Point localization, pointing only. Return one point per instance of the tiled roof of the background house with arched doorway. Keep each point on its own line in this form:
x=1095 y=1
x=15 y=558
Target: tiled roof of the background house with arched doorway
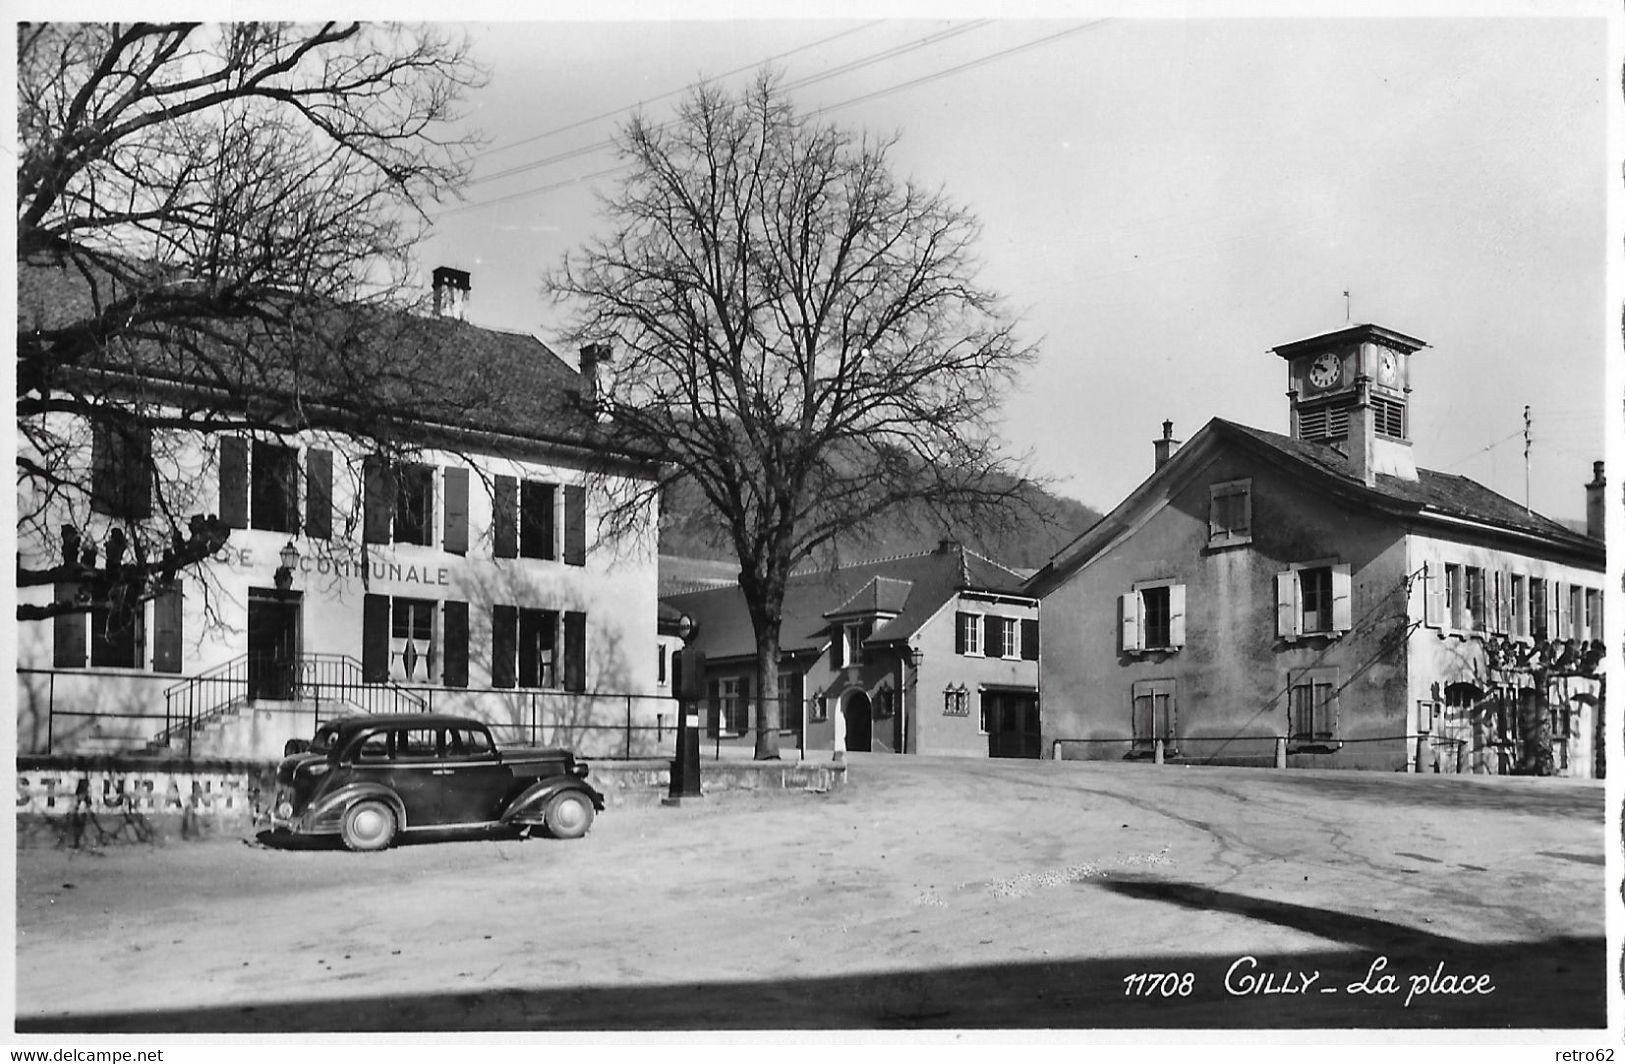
x=810 y=597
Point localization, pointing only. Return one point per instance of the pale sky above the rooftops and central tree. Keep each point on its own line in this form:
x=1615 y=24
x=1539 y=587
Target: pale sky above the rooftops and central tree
x=1163 y=201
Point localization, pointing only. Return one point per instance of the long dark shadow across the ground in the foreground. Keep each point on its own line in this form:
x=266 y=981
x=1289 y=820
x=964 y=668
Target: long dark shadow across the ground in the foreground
x=1390 y=977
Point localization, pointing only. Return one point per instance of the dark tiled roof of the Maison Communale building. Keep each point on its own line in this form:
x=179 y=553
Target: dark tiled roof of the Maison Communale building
x=414 y=368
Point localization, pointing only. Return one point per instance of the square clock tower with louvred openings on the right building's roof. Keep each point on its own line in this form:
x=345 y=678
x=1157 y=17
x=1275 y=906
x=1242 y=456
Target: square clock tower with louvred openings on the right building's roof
x=1351 y=391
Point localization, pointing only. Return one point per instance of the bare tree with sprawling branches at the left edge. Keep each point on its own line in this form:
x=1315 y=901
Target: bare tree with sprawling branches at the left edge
x=214 y=225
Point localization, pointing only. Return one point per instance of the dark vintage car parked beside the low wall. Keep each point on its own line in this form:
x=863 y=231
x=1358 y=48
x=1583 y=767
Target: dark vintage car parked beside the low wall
x=373 y=779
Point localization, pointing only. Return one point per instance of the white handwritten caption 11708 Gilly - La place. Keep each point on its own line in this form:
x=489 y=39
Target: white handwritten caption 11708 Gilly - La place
x=1249 y=977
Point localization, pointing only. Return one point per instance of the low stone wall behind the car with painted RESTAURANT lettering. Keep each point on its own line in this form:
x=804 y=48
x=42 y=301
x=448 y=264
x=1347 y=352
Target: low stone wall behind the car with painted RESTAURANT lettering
x=87 y=802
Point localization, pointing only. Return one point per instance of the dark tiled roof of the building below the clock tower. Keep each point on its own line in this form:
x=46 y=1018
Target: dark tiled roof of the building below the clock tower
x=1431 y=493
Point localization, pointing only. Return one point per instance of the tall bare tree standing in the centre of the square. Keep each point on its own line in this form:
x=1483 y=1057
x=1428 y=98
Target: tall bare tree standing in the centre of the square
x=797 y=331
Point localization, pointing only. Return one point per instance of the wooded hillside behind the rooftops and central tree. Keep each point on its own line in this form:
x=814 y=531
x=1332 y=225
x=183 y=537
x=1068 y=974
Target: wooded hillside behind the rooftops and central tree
x=1033 y=532
